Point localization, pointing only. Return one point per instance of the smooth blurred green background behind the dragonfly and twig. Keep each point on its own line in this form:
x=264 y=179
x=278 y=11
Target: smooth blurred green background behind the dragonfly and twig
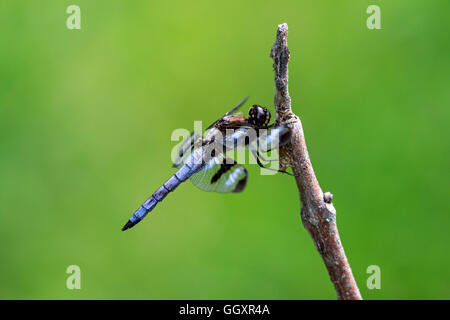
x=85 y=123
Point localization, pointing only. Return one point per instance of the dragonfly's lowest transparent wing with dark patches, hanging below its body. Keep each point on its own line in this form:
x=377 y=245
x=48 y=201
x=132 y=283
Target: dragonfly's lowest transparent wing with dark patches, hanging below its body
x=221 y=175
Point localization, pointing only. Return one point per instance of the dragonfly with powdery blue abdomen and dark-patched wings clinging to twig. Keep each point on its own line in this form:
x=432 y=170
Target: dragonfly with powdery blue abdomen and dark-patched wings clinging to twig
x=203 y=160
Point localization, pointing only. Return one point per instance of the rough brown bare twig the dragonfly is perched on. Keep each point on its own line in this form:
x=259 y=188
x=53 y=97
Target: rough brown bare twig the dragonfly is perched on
x=317 y=213
